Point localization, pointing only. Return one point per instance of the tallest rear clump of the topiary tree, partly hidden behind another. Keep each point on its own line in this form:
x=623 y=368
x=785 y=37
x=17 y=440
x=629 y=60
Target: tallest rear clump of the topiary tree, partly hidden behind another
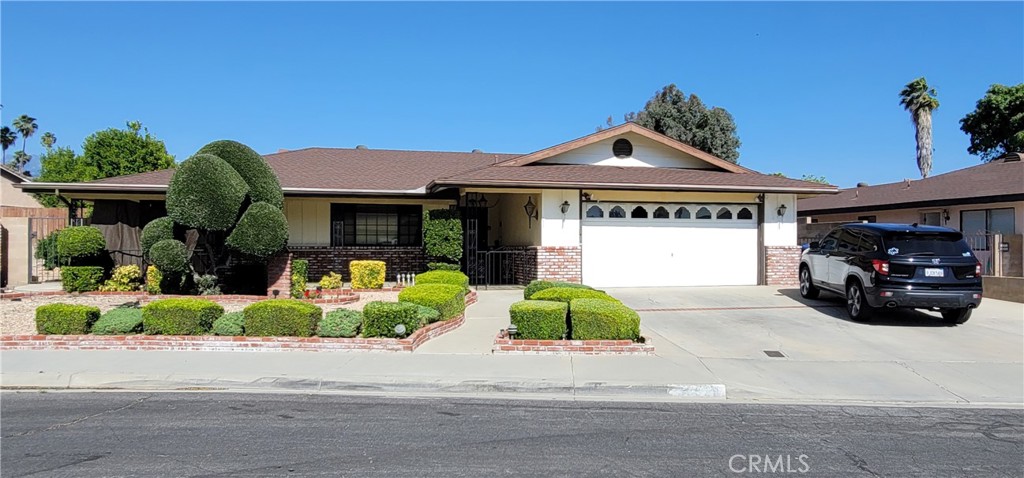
x=264 y=184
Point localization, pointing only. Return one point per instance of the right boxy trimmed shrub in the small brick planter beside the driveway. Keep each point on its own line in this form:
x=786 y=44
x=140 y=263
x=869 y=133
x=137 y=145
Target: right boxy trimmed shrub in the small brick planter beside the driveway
x=601 y=320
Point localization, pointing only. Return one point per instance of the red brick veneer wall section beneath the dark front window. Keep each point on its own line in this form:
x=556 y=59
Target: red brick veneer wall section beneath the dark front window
x=328 y=259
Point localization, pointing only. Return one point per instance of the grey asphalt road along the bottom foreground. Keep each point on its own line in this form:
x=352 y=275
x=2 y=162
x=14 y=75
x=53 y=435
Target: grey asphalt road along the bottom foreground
x=221 y=434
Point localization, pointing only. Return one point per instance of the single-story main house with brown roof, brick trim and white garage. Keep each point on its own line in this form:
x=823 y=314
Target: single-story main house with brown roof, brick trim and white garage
x=622 y=207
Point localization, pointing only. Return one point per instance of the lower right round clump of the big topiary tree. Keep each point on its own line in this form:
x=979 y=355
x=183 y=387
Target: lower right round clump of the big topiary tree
x=262 y=232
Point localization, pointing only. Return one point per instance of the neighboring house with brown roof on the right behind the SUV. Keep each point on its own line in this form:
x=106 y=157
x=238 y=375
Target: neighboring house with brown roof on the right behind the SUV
x=979 y=201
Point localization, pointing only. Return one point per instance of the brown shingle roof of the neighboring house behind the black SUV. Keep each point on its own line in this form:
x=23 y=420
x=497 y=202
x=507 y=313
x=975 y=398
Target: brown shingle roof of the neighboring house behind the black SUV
x=996 y=180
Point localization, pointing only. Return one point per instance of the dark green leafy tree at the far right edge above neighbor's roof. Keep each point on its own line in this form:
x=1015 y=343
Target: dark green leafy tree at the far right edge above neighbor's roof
x=997 y=125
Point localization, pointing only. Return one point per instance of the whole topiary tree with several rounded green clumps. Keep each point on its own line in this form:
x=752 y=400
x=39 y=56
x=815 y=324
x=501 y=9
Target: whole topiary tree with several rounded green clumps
x=226 y=200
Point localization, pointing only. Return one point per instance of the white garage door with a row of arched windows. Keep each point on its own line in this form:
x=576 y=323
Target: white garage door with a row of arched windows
x=652 y=245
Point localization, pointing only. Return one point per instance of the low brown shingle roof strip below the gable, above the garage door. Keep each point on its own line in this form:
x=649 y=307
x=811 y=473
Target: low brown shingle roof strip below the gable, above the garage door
x=609 y=178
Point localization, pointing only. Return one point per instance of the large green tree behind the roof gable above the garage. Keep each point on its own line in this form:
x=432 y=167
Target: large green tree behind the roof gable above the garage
x=671 y=113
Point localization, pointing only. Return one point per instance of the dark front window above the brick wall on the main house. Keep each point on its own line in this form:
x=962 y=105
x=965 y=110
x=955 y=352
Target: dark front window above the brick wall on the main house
x=359 y=225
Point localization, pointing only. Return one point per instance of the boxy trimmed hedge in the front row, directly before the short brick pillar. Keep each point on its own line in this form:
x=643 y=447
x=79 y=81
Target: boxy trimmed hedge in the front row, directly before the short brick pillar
x=282 y=318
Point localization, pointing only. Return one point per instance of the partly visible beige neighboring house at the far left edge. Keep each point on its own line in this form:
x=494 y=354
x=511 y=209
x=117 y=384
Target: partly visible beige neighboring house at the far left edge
x=21 y=215
